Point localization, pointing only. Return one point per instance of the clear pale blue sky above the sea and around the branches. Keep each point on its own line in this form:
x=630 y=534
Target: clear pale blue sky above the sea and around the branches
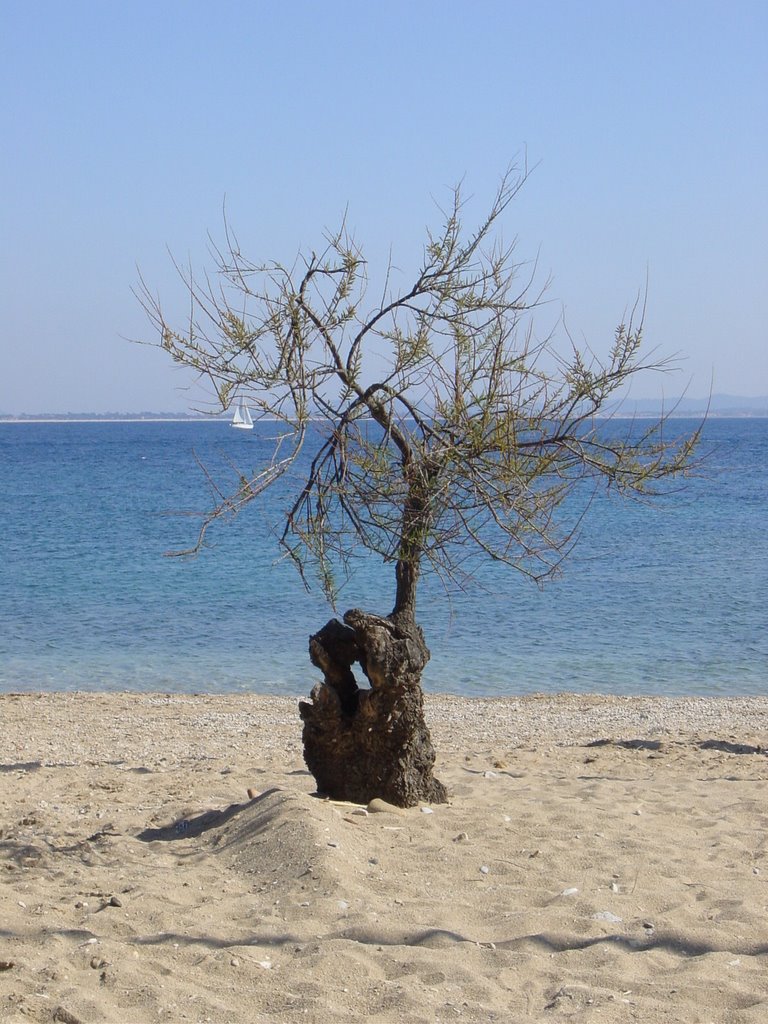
x=125 y=125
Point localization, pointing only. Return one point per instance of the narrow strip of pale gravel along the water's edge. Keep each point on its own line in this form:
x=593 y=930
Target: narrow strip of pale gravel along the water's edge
x=72 y=729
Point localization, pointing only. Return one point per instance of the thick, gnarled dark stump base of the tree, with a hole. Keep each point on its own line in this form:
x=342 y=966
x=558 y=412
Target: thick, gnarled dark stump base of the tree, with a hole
x=360 y=743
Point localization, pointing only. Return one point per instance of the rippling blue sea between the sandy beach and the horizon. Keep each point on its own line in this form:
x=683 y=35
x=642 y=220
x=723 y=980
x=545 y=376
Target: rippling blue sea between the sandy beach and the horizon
x=666 y=600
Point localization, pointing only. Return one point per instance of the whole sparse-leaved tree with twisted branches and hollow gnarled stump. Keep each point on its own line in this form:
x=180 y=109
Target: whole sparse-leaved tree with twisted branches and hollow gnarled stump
x=438 y=428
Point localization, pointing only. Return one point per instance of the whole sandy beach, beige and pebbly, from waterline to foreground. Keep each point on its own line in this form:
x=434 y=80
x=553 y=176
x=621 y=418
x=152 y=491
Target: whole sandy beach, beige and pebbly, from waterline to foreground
x=602 y=860
